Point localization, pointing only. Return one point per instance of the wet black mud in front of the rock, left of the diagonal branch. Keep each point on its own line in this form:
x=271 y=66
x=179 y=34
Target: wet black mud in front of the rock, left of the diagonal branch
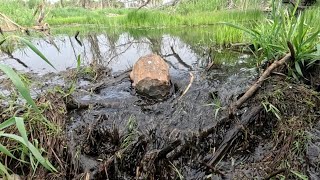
x=115 y=118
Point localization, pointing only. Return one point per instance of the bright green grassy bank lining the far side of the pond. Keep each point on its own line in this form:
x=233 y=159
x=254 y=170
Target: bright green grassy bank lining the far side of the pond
x=181 y=16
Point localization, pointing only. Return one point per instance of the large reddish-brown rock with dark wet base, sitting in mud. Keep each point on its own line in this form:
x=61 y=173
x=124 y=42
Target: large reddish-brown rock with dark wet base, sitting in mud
x=150 y=76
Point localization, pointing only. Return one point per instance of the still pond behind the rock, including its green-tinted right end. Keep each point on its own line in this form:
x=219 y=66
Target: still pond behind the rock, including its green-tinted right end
x=121 y=50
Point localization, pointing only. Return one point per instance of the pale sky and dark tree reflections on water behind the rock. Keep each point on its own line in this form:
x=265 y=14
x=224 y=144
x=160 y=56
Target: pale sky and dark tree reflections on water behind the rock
x=119 y=53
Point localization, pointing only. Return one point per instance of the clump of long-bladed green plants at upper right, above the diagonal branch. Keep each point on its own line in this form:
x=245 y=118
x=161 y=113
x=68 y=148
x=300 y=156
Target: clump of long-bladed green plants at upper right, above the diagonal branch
x=271 y=37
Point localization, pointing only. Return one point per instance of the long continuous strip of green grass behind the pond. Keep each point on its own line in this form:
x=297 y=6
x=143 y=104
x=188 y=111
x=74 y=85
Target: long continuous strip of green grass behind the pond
x=147 y=18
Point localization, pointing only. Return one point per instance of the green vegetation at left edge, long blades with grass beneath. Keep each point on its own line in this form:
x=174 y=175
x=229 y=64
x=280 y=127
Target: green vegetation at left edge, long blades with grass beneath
x=13 y=144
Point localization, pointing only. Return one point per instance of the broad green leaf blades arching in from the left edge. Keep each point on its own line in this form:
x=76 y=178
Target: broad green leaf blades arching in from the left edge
x=34 y=152
